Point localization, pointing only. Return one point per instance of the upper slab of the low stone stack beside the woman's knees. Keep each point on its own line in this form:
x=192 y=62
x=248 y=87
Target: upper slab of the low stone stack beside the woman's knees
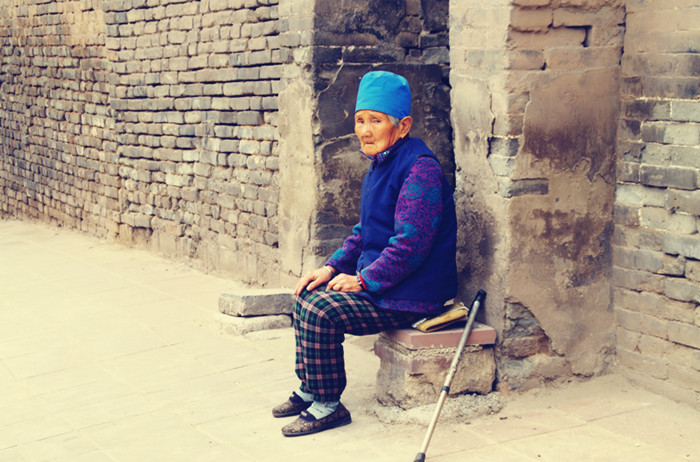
x=257 y=302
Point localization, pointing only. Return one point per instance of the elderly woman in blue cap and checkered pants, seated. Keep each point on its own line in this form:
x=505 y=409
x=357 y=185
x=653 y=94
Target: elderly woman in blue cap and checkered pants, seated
x=397 y=266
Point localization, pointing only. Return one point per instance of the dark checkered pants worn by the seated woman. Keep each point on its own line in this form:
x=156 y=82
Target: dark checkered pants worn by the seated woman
x=321 y=320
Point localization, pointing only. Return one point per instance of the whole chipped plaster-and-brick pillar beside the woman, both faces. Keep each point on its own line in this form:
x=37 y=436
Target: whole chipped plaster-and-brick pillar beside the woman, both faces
x=534 y=111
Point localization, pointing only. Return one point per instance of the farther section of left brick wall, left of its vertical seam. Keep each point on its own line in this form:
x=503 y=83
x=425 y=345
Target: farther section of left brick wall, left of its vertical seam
x=56 y=129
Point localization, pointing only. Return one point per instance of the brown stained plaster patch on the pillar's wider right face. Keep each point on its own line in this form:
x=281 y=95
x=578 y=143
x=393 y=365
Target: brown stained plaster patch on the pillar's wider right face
x=561 y=253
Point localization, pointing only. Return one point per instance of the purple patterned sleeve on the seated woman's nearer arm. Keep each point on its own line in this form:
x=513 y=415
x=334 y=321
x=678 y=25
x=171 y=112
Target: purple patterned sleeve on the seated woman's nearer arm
x=416 y=222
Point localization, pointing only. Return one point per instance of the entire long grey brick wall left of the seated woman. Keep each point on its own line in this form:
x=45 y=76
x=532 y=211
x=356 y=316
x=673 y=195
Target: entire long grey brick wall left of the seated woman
x=154 y=121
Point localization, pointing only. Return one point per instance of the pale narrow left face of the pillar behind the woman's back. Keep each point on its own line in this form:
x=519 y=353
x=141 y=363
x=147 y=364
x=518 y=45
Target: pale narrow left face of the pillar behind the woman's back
x=478 y=55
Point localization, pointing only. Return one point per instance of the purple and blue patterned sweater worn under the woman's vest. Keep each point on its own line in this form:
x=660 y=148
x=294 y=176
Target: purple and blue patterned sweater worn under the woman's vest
x=418 y=207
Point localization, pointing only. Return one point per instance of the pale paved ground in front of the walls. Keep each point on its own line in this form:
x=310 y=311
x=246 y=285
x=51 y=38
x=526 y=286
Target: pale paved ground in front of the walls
x=113 y=354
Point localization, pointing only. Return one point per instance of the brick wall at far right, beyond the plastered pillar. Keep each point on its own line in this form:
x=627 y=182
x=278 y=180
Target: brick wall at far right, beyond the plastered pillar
x=657 y=202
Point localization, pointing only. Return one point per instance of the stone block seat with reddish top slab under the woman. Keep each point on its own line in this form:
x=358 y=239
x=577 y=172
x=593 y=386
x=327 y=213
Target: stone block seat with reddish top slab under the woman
x=414 y=364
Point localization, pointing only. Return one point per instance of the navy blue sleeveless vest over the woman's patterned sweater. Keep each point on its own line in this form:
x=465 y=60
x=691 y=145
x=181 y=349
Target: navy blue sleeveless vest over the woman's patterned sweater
x=436 y=279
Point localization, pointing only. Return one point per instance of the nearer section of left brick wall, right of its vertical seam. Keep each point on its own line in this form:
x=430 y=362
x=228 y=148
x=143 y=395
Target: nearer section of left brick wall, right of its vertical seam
x=195 y=103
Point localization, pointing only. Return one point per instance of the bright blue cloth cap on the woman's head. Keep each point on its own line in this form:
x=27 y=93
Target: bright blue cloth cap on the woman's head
x=384 y=92
